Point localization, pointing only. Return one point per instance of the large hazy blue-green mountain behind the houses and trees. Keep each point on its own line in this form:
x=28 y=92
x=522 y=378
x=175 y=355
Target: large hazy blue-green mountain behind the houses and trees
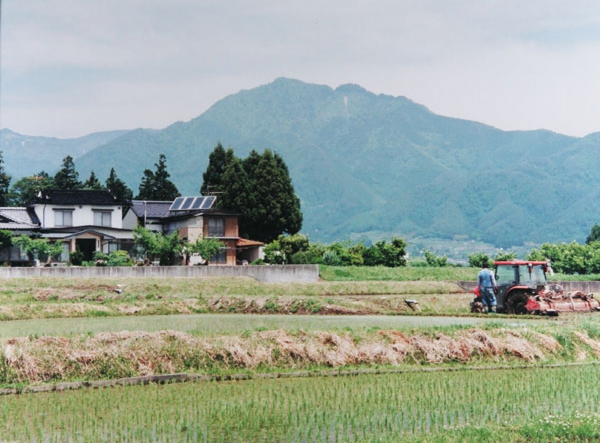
x=373 y=166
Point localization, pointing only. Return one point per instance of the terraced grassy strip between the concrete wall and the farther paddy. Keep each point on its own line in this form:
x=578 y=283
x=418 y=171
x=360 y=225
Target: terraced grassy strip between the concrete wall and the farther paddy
x=22 y=299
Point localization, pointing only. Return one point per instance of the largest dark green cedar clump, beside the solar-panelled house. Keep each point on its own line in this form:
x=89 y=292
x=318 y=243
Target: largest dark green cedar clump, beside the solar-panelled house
x=258 y=188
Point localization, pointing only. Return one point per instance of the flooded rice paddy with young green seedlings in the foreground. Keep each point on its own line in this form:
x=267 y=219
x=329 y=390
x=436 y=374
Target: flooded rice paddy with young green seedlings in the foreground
x=424 y=406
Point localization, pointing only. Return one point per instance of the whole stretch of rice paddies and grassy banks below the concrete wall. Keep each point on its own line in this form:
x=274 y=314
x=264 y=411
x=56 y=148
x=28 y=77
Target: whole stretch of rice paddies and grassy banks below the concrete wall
x=336 y=361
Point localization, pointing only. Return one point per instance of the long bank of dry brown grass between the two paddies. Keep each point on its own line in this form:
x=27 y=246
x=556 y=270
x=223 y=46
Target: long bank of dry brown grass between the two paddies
x=128 y=354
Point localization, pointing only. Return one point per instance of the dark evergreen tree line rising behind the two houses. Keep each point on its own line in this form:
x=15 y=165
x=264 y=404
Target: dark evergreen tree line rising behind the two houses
x=258 y=189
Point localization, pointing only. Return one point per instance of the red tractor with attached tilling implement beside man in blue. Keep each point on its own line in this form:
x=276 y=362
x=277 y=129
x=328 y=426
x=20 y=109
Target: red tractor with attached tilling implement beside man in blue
x=522 y=288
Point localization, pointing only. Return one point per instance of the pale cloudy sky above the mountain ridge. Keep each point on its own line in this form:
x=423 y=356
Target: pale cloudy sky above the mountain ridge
x=72 y=67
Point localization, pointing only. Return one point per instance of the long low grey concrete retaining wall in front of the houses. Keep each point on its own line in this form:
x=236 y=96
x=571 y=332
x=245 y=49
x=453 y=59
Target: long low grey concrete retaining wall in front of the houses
x=267 y=274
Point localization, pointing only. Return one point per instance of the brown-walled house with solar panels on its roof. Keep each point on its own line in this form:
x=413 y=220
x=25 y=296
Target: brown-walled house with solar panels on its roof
x=196 y=218
